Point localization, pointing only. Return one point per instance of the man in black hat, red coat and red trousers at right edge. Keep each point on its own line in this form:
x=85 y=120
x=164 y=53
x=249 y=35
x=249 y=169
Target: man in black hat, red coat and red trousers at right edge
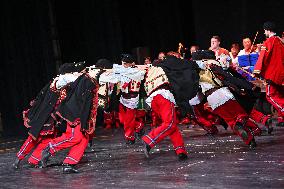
x=270 y=66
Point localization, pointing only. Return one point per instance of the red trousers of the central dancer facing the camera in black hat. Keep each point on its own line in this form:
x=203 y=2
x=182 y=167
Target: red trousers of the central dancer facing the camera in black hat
x=127 y=117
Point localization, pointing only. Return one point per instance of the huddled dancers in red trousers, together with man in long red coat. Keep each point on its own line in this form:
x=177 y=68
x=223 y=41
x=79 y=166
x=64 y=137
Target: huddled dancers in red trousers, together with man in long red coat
x=205 y=88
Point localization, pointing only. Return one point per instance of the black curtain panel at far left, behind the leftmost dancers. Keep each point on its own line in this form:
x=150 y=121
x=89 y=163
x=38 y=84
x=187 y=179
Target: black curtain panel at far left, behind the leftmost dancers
x=27 y=61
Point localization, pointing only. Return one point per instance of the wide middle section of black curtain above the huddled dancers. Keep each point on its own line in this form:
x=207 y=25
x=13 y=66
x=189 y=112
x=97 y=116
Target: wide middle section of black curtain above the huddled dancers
x=89 y=29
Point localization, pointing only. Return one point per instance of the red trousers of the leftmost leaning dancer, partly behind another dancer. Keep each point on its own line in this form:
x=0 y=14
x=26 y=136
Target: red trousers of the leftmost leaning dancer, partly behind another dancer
x=30 y=144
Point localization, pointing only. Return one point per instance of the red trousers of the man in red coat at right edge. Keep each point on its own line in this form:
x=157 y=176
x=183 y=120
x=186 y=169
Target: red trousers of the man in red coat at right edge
x=275 y=96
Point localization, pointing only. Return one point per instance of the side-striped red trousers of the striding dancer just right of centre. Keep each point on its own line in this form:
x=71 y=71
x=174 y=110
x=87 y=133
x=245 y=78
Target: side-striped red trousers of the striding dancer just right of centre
x=166 y=111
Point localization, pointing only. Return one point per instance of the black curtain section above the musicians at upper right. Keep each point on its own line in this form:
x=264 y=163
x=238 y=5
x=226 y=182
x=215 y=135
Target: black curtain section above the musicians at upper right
x=234 y=20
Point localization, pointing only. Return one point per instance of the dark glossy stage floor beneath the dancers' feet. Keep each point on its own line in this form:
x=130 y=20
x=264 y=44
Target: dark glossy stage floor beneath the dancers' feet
x=220 y=162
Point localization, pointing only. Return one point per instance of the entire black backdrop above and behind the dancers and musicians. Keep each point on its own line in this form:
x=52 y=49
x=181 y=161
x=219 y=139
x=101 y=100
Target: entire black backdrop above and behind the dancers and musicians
x=39 y=35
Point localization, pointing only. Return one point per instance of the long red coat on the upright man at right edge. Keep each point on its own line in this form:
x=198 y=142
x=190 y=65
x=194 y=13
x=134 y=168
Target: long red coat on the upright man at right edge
x=270 y=63
